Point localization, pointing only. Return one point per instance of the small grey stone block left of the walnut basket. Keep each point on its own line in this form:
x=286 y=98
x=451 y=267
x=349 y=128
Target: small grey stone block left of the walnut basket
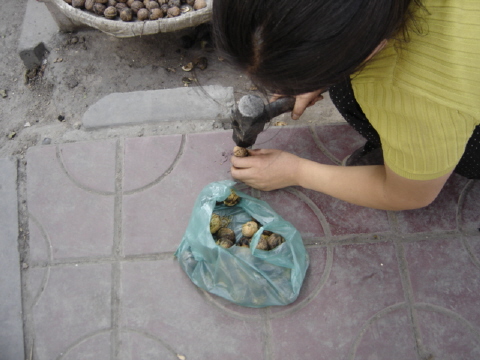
x=38 y=27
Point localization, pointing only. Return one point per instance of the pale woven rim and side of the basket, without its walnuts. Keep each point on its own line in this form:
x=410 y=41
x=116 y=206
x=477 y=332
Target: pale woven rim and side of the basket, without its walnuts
x=120 y=28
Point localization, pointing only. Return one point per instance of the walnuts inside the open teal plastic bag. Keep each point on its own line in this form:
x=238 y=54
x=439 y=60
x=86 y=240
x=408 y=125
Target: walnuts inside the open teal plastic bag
x=225 y=237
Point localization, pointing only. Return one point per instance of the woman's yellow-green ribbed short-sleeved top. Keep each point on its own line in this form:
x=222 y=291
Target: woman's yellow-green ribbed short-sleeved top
x=423 y=97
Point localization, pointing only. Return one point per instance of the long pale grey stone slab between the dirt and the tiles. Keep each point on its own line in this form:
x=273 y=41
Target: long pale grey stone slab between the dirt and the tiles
x=157 y=106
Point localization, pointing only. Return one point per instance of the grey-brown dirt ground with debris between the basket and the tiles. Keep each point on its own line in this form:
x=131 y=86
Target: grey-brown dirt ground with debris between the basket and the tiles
x=81 y=68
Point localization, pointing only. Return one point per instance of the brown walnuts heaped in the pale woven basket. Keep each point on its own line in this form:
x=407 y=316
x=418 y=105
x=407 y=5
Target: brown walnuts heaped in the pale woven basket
x=129 y=10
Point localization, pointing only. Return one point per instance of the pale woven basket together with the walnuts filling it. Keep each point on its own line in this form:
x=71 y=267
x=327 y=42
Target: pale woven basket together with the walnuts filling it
x=128 y=18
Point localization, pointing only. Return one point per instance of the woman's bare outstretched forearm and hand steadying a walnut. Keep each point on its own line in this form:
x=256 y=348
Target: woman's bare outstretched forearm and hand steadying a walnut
x=371 y=186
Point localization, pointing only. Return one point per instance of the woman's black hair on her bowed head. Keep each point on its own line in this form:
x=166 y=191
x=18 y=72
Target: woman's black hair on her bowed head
x=292 y=47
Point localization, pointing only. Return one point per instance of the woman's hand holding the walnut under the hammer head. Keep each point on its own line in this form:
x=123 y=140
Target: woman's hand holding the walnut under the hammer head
x=266 y=169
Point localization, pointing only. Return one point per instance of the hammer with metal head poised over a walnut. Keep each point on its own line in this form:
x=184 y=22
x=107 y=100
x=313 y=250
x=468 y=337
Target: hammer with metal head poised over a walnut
x=252 y=114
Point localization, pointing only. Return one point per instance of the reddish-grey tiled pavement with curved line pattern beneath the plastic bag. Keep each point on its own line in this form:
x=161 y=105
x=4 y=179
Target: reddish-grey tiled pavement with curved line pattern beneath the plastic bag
x=102 y=282
